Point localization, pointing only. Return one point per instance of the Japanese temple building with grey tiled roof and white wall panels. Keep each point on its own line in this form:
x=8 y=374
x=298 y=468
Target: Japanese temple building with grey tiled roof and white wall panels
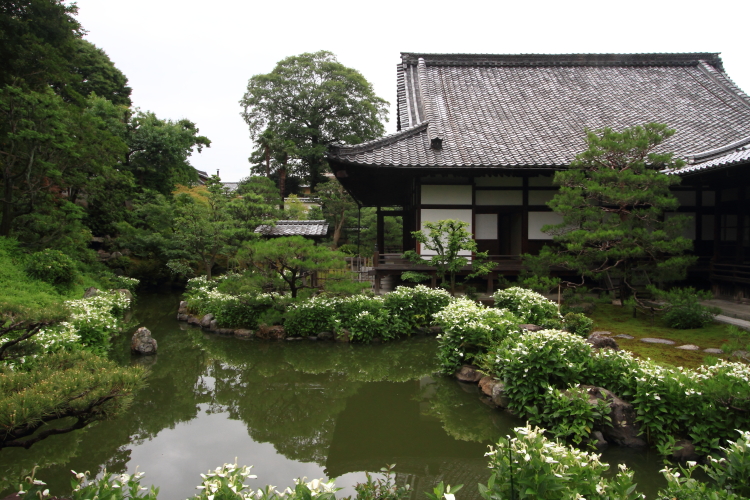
x=480 y=137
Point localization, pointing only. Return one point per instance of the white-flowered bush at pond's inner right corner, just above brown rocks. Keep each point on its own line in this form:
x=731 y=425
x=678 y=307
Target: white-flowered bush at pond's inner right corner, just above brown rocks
x=469 y=329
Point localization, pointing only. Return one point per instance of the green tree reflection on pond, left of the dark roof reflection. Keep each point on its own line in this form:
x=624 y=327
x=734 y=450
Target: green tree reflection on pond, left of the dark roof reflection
x=290 y=394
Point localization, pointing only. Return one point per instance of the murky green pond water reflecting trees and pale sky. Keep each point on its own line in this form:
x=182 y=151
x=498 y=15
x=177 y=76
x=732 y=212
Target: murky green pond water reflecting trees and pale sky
x=290 y=409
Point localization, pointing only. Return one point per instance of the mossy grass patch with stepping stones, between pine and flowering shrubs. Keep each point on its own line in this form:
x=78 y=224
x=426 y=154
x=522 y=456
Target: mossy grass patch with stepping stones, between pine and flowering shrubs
x=619 y=320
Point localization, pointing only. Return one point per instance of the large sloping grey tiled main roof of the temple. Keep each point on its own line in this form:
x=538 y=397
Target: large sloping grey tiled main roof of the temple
x=459 y=110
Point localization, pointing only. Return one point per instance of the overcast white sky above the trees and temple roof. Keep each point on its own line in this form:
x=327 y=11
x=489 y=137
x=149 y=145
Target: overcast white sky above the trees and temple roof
x=192 y=59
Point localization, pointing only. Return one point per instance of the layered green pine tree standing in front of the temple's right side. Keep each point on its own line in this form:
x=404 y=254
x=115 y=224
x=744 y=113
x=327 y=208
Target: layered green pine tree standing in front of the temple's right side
x=613 y=199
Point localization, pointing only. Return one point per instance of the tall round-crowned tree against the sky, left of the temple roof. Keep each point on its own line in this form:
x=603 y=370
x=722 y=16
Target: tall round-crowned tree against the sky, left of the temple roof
x=313 y=100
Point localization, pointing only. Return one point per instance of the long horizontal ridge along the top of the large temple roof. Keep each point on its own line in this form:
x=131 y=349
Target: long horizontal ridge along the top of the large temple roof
x=580 y=59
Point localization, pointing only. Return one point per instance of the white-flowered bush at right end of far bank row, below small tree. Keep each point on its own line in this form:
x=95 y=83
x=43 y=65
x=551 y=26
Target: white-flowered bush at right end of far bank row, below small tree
x=415 y=307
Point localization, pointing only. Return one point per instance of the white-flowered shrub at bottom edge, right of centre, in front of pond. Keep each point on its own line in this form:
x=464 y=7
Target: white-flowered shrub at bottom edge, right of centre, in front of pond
x=531 y=466
